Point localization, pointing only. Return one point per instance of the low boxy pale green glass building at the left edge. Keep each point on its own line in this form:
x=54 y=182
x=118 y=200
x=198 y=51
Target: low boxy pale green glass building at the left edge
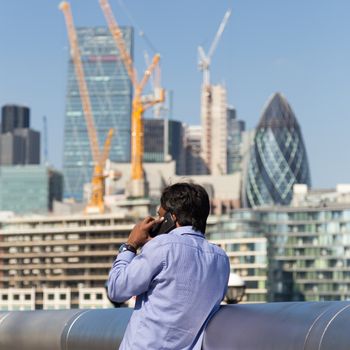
x=29 y=188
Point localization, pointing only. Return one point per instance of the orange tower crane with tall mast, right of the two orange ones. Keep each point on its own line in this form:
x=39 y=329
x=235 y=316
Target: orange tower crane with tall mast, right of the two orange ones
x=140 y=104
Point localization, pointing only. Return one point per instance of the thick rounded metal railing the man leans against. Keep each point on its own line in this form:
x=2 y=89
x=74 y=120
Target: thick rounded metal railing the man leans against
x=274 y=326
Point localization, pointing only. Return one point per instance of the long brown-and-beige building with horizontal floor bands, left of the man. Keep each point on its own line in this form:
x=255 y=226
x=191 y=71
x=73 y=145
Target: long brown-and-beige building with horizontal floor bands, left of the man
x=50 y=262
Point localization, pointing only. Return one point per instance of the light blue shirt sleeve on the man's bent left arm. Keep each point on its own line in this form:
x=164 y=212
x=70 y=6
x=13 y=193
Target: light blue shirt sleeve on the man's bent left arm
x=132 y=274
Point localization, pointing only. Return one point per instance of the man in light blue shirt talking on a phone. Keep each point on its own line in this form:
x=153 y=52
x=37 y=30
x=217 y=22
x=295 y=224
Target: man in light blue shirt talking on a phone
x=179 y=278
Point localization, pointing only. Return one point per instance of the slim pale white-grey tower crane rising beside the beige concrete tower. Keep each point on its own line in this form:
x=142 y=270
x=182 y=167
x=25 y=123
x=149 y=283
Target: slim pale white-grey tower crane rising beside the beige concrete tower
x=206 y=100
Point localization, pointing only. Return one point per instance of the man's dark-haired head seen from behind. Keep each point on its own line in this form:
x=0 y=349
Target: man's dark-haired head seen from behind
x=189 y=203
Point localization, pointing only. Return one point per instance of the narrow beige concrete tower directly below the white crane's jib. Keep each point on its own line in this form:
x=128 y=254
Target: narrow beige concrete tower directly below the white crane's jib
x=214 y=128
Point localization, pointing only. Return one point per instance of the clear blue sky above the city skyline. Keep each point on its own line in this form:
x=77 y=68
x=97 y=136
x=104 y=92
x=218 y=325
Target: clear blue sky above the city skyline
x=300 y=48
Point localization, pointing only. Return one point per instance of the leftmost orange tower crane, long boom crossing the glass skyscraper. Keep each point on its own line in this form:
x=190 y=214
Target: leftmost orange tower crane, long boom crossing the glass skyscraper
x=96 y=201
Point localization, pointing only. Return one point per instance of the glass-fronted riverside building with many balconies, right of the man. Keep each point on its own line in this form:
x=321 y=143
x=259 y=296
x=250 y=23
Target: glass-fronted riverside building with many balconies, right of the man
x=304 y=247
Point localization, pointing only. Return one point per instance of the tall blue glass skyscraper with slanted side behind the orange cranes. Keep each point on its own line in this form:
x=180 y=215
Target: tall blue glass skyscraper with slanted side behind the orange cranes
x=110 y=93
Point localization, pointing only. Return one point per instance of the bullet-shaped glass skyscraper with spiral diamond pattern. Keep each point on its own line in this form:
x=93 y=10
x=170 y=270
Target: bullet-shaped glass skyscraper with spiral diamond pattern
x=278 y=157
